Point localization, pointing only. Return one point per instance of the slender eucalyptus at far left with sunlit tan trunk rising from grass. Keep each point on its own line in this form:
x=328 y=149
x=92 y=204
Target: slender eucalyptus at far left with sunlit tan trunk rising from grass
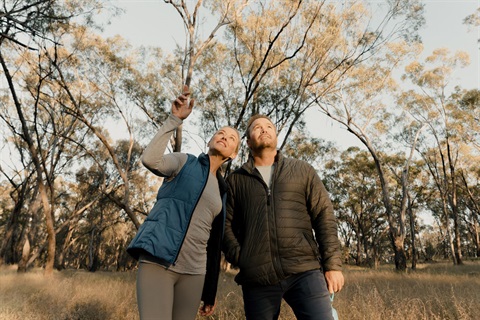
x=44 y=130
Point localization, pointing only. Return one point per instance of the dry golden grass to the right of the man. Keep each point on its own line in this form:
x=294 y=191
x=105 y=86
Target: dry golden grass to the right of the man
x=438 y=291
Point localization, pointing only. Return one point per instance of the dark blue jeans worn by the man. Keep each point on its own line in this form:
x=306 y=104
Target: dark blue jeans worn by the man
x=306 y=293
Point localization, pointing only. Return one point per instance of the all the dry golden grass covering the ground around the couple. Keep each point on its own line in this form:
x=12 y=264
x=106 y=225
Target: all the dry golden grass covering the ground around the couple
x=436 y=291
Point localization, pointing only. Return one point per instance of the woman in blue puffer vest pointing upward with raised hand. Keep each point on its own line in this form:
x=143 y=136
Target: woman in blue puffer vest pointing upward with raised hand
x=178 y=245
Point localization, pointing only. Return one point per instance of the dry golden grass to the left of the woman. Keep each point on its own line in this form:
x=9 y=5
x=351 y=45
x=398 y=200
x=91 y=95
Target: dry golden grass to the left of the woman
x=69 y=295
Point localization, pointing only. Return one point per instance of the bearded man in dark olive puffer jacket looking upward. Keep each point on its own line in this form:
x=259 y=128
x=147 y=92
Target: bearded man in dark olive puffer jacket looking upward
x=281 y=231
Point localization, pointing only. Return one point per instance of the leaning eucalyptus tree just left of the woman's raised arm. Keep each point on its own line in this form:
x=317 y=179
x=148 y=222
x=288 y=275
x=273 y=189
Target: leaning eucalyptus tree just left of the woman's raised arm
x=96 y=75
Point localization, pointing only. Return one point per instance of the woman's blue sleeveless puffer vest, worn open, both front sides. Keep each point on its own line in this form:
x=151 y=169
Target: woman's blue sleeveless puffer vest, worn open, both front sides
x=164 y=230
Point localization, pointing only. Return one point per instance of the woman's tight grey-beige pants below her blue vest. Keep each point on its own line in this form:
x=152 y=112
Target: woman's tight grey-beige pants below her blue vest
x=166 y=295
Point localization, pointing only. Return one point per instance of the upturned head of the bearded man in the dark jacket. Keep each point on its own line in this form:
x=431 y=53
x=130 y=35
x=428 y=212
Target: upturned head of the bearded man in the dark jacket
x=262 y=135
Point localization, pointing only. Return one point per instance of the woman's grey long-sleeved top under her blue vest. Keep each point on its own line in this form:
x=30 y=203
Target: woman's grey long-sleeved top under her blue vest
x=192 y=258
